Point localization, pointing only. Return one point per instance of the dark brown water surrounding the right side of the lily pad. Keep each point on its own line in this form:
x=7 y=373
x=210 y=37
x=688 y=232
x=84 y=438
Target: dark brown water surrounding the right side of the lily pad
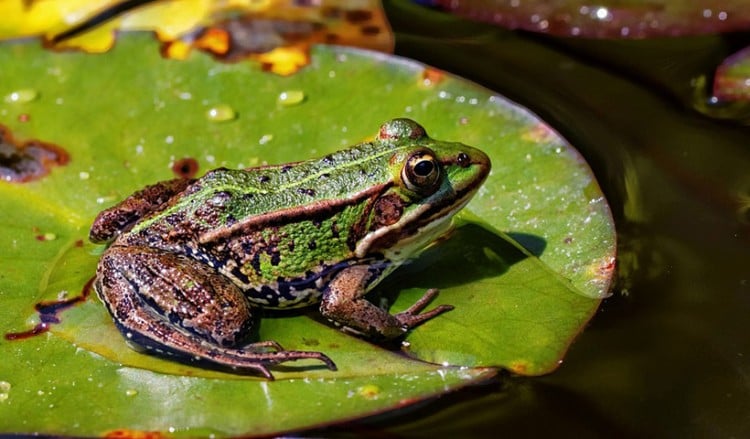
x=668 y=355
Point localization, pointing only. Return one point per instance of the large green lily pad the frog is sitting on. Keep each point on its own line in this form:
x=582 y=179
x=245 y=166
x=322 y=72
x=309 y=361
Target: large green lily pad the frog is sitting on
x=525 y=270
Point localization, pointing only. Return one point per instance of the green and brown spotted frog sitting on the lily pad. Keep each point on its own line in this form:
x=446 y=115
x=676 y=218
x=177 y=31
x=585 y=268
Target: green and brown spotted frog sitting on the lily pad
x=189 y=263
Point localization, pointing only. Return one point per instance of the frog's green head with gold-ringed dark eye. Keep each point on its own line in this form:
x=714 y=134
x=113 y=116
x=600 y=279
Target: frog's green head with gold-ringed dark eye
x=431 y=181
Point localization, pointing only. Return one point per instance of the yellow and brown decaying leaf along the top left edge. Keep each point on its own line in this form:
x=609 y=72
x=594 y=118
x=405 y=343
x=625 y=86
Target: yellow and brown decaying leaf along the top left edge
x=276 y=33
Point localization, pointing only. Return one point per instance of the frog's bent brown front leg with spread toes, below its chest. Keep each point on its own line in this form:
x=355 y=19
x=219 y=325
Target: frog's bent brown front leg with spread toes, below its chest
x=344 y=303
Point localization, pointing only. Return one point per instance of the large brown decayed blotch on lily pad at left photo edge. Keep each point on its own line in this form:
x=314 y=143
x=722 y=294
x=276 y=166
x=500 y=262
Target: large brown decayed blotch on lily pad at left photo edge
x=27 y=161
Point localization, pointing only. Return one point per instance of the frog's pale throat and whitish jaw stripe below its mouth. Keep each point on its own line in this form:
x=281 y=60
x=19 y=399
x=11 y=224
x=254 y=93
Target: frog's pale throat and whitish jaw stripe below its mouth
x=435 y=225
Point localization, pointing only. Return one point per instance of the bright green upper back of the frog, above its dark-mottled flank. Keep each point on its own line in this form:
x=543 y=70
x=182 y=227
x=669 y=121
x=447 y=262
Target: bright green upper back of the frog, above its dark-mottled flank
x=250 y=196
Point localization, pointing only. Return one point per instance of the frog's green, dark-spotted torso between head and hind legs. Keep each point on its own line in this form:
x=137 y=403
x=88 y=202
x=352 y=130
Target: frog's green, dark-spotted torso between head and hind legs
x=275 y=229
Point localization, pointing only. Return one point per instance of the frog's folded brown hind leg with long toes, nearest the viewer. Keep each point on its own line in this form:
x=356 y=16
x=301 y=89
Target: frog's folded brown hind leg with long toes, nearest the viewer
x=174 y=305
